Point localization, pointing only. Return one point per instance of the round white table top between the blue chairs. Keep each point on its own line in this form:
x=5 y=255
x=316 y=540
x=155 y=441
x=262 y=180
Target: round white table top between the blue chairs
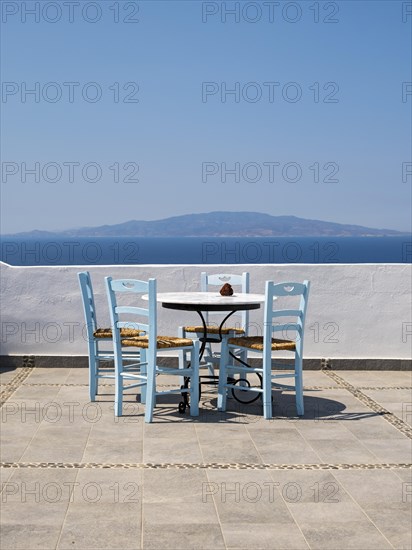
x=209 y=298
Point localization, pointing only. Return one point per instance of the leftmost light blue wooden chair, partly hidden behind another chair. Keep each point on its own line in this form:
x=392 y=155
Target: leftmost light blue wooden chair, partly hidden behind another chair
x=96 y=337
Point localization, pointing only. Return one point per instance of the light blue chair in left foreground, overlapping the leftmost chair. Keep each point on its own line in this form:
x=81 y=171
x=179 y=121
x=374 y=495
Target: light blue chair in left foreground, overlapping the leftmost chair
x=149 y=344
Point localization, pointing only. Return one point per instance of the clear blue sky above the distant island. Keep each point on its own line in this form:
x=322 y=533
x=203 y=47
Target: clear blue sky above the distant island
x=318 y=124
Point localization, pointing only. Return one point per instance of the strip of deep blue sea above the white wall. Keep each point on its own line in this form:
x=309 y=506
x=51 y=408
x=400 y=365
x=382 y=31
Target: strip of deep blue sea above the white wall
x=205 y=250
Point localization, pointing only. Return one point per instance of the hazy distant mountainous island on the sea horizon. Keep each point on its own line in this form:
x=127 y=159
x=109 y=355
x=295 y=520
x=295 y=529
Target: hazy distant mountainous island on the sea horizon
x=221 y=224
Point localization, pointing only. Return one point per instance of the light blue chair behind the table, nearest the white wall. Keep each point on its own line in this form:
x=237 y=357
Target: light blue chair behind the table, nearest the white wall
x=208 y=283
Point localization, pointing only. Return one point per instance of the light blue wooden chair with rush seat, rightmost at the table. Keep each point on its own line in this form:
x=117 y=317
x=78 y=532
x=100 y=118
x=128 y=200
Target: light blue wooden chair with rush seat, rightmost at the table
x=293 y=322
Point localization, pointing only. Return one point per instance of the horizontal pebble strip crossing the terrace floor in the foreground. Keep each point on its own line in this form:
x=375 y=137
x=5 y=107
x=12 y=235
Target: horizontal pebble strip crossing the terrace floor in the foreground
x=201 y=466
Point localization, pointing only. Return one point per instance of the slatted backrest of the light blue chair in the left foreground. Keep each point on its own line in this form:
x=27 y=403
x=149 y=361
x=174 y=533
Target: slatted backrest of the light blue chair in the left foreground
x=147 y=315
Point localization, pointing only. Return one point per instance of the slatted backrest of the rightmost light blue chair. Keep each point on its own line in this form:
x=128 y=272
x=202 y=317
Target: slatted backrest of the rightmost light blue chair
x=286 y=321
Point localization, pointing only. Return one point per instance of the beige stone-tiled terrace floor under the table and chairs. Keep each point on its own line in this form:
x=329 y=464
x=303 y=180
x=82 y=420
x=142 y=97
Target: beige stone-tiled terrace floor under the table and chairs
x=73 y=476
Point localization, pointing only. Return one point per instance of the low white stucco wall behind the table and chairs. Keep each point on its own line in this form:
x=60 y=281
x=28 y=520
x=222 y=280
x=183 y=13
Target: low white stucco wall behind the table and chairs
x=355 y=311
